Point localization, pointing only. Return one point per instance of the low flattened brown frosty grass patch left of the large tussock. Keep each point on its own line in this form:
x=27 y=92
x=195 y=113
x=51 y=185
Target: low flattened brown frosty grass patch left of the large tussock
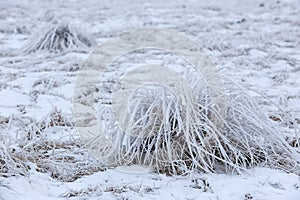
x=47 y=146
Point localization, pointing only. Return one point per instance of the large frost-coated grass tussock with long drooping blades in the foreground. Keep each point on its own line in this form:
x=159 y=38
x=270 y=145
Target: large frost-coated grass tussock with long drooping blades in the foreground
x=181 y=130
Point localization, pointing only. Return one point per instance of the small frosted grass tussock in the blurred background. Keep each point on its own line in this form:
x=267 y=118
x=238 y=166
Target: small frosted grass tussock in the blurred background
x=57 y=37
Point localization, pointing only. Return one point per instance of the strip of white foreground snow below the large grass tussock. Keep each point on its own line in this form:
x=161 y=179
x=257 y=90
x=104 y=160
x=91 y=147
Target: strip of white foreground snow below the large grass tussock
x=260 y=183
